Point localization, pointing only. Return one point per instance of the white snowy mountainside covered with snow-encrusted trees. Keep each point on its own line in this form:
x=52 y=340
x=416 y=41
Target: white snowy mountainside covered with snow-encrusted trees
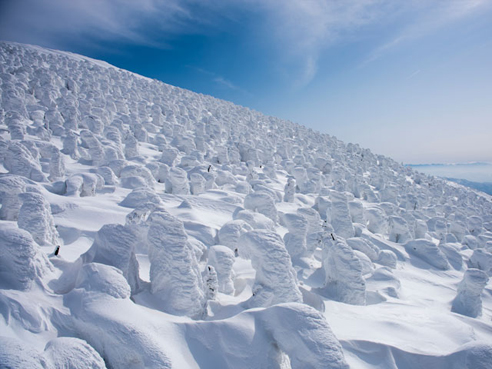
x=146 y=226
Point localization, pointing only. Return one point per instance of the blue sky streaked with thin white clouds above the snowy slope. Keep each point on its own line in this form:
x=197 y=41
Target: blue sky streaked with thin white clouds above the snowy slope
x=411 y=79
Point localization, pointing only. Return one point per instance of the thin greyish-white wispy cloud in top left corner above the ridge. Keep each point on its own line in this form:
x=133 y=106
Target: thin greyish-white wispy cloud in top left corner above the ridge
x=58 y=22
